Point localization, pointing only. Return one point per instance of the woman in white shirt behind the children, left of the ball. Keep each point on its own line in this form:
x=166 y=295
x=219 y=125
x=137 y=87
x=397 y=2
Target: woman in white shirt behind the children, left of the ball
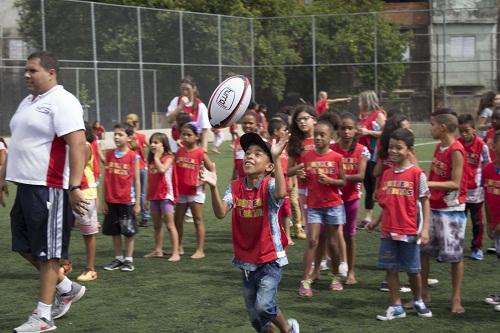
x=189 y=102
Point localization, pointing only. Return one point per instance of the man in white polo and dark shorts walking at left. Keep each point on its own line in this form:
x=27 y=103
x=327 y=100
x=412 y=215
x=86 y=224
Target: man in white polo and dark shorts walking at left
x=46 y=160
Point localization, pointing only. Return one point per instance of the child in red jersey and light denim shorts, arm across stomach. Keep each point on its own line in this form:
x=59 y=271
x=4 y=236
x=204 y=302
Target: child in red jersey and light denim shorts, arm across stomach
x=324 y=174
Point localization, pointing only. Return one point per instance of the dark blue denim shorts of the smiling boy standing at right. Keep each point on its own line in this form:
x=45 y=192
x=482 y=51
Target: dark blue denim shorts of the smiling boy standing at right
x=399 y=256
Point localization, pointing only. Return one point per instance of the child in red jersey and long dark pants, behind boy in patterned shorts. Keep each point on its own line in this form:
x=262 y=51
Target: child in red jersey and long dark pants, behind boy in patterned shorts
x=477 y=157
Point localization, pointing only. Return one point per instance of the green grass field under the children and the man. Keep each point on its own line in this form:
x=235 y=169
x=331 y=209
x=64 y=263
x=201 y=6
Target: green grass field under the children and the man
x=205 y=295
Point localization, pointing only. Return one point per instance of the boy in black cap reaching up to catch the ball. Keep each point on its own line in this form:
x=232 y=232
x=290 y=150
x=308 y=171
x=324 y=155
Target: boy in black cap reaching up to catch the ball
x=259 y=241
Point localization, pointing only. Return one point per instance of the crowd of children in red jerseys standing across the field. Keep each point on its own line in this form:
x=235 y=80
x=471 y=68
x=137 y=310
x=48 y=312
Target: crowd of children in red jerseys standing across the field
x=300 y=175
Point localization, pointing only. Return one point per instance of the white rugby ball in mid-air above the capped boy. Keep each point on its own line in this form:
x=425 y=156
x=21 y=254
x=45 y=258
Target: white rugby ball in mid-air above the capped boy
x=229 y=101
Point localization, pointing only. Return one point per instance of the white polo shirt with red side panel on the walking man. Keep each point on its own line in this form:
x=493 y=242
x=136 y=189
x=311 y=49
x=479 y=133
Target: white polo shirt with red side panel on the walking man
x=38 y=155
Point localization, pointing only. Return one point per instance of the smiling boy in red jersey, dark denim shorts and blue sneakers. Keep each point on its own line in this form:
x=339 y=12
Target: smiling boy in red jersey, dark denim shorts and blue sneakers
x=404 y=198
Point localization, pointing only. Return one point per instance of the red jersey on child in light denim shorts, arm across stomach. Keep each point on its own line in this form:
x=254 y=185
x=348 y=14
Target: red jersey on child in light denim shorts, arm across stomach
x=322 y=195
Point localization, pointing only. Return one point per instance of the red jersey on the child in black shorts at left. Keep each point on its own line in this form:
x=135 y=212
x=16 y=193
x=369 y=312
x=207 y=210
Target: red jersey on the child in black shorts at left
x=119 y=177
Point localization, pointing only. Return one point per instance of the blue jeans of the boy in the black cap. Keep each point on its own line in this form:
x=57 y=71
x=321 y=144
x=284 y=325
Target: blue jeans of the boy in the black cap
x=259 y=290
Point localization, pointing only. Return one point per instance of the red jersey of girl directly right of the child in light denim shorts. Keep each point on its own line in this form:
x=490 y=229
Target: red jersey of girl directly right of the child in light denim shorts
x=350 y=160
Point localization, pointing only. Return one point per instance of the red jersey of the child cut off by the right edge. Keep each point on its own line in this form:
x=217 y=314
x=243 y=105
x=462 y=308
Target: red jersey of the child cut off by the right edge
x=491 y=183
